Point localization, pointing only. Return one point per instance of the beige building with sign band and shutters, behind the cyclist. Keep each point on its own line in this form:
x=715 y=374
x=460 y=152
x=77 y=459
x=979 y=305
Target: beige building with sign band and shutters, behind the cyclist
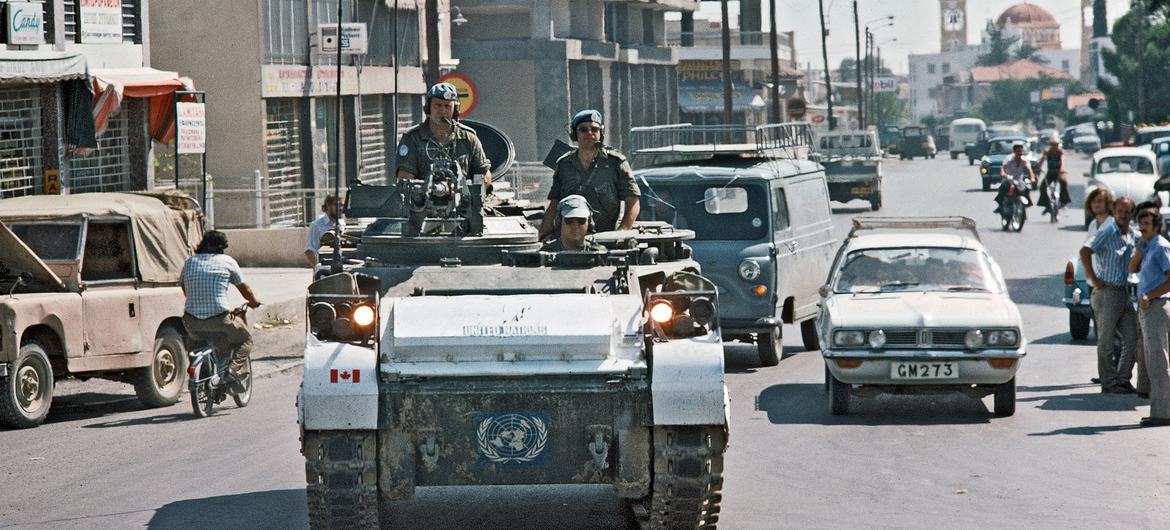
x=272 y=97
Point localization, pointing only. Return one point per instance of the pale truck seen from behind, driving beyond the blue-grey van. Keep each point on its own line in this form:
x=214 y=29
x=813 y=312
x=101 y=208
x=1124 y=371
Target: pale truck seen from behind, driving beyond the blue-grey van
x=852 y=162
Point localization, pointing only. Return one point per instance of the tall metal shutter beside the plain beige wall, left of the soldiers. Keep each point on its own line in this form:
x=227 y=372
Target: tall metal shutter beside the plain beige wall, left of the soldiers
x=283 y=146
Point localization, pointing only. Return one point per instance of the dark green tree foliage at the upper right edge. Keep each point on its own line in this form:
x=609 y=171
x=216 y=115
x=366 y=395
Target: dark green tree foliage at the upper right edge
x=1130 y=64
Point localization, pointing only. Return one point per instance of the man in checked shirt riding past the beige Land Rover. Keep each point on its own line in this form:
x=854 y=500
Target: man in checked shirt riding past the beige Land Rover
x=208 y=315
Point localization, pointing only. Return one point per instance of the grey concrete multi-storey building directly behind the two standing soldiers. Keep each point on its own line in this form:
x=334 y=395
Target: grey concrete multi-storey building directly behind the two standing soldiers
x=536 y=63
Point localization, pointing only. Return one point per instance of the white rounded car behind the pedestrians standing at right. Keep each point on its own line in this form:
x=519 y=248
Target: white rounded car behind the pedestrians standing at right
x=1126 y=173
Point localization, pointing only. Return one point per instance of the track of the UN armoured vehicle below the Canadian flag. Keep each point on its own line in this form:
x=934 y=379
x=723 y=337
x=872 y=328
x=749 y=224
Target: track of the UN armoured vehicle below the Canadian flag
x=341 y=471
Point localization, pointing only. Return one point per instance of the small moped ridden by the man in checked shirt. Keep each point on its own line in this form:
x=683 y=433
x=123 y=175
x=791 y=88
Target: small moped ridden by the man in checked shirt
x=209 y=383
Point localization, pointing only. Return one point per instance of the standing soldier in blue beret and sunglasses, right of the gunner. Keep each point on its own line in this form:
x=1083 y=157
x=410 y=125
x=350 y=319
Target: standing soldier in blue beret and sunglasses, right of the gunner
x=598 y=174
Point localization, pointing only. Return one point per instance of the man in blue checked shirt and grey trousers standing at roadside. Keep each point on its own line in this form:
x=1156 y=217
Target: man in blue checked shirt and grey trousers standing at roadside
x=1106 y=259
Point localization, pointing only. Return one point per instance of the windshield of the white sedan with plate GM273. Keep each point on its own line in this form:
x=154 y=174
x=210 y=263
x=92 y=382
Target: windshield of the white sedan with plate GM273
x=920 y=270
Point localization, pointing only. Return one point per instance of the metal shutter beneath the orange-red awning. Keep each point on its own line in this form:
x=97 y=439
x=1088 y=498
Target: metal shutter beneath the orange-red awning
x=106 y=169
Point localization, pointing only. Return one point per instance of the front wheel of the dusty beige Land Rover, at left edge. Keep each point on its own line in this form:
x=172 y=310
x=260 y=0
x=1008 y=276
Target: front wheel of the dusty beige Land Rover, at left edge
x=27 y=390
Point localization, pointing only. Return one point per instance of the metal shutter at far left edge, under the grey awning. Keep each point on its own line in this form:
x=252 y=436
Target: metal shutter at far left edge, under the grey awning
x=20 y=142
